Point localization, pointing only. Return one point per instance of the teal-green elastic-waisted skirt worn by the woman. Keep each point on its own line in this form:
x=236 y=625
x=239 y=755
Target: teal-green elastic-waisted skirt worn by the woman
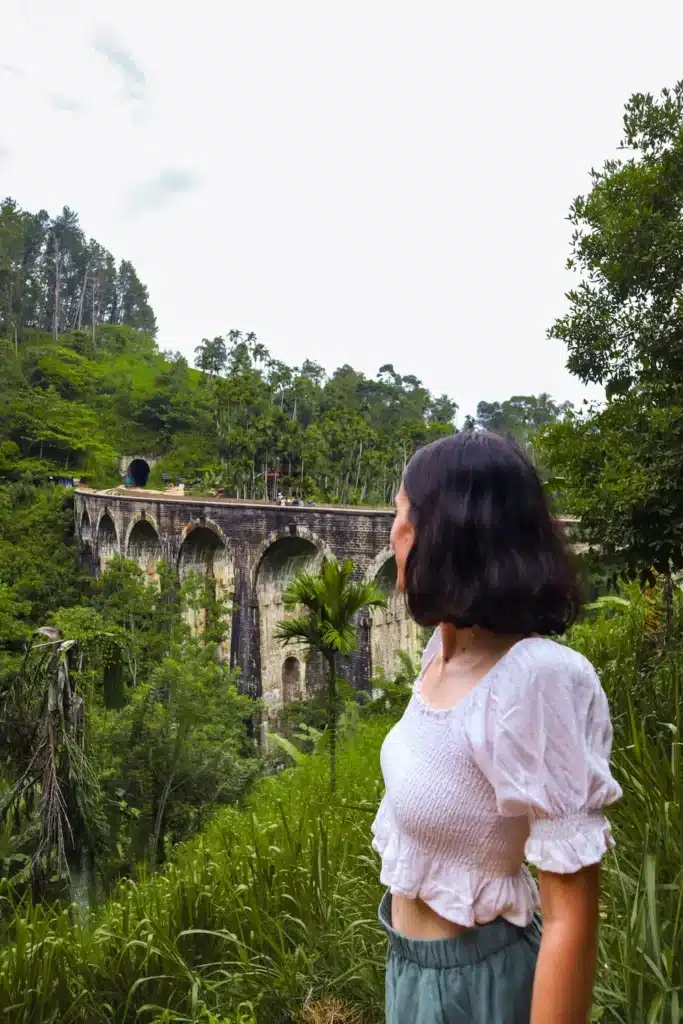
x=484 y=976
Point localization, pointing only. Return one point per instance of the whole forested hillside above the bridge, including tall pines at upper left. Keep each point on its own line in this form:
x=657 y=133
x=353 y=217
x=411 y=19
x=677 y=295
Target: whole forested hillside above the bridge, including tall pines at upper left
x=74 y=400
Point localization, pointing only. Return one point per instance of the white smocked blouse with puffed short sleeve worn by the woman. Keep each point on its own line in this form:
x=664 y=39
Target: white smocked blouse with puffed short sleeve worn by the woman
x=520 y=769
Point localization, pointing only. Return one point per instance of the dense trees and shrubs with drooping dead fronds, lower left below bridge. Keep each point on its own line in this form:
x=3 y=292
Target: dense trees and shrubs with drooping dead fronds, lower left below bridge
x=120 y=731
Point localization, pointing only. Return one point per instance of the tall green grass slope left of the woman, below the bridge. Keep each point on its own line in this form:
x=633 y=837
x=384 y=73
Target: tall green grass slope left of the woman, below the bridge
x=273 y=908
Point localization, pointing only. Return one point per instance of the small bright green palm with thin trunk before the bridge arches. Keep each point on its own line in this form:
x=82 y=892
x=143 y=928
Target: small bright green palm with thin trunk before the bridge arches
x=328 y=604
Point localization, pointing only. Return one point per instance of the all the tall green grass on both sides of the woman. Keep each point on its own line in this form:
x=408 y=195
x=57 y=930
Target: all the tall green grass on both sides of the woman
x=270 y=917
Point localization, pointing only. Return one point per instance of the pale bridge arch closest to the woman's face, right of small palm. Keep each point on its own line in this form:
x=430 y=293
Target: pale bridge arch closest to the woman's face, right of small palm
x=392 y=628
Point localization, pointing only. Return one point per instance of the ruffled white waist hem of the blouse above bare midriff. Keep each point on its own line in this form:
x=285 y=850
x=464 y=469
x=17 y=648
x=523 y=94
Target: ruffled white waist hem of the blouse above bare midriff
x=469 y=898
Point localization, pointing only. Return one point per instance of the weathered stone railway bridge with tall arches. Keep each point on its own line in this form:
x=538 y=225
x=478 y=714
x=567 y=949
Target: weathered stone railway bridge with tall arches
x=252 y=550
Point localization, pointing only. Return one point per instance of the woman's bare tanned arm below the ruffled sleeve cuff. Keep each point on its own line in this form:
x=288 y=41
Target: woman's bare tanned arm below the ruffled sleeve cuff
x=566 y=969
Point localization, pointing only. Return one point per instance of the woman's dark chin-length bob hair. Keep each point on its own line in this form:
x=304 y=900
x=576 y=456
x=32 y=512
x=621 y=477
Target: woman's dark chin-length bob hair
x=487 y=550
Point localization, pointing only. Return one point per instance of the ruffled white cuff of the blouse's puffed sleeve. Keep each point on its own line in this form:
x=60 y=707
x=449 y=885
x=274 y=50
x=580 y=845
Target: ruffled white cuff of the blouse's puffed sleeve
x=568 y=846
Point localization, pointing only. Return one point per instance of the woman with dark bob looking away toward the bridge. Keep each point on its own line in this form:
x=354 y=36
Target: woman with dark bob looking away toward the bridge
x=503 y=754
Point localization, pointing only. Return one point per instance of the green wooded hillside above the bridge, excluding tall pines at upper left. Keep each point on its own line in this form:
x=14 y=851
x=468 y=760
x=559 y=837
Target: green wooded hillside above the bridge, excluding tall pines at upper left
x=74 y=404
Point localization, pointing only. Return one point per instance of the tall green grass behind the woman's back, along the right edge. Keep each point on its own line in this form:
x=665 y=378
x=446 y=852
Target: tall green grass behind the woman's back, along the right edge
x=641 y=977
